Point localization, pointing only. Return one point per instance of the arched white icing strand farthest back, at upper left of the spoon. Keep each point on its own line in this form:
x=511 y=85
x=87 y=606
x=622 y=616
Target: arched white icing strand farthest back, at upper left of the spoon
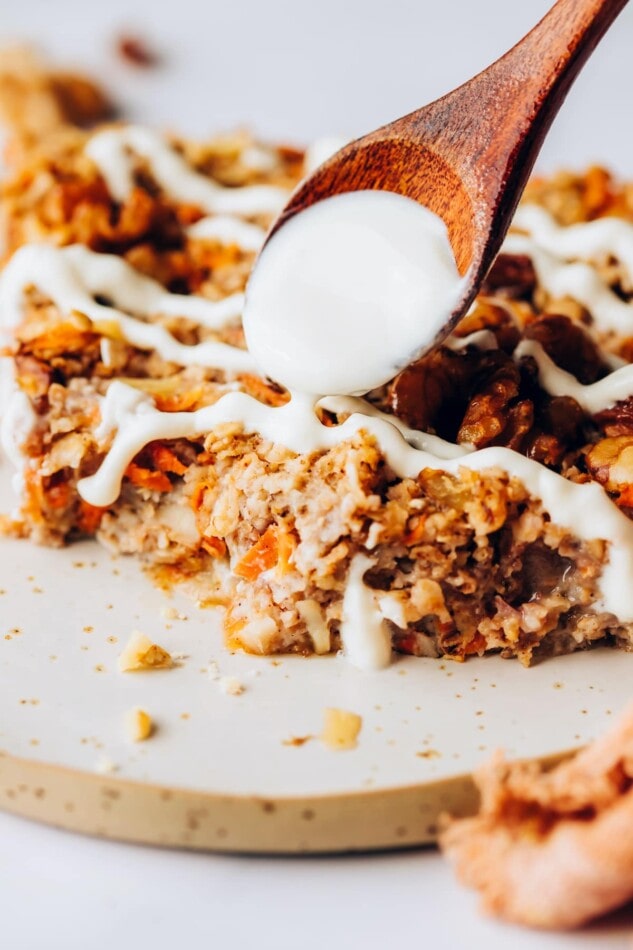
x=114 y=152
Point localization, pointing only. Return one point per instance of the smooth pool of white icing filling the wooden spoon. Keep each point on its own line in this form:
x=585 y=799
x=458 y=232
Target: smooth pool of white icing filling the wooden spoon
x=347 y=292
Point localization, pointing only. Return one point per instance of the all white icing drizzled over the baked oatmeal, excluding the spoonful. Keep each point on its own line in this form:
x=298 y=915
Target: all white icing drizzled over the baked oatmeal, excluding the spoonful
x=74 y=276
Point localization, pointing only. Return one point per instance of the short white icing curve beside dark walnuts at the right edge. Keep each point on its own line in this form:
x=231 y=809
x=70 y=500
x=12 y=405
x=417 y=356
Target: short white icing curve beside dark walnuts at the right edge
x=558 y=382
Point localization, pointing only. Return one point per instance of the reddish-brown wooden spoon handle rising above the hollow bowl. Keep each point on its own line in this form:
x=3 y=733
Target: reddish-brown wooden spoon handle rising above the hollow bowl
x=505 y=112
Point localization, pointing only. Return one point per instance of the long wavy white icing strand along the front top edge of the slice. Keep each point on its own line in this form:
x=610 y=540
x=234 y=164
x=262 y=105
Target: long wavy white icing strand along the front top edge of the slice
x=583 y=509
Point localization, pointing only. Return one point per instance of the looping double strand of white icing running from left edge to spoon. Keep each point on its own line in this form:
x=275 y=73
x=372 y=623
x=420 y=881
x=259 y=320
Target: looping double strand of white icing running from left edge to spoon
x=72 y=276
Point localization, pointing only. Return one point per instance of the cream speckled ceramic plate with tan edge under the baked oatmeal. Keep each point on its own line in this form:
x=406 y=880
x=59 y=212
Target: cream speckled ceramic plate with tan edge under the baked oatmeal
x=244 y=772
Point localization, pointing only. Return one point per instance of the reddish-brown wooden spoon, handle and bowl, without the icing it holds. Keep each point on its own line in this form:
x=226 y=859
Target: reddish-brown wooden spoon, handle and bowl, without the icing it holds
x=468 y=155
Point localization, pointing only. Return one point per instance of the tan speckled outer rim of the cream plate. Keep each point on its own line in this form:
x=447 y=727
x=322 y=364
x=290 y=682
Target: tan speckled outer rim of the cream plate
x=108 y=806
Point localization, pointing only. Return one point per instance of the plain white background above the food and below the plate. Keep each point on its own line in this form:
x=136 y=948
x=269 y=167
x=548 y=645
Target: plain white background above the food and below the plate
x=291 y=70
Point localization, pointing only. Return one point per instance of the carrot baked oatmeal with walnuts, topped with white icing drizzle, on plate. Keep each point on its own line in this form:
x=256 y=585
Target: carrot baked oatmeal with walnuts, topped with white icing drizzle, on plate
x=480 y=501
